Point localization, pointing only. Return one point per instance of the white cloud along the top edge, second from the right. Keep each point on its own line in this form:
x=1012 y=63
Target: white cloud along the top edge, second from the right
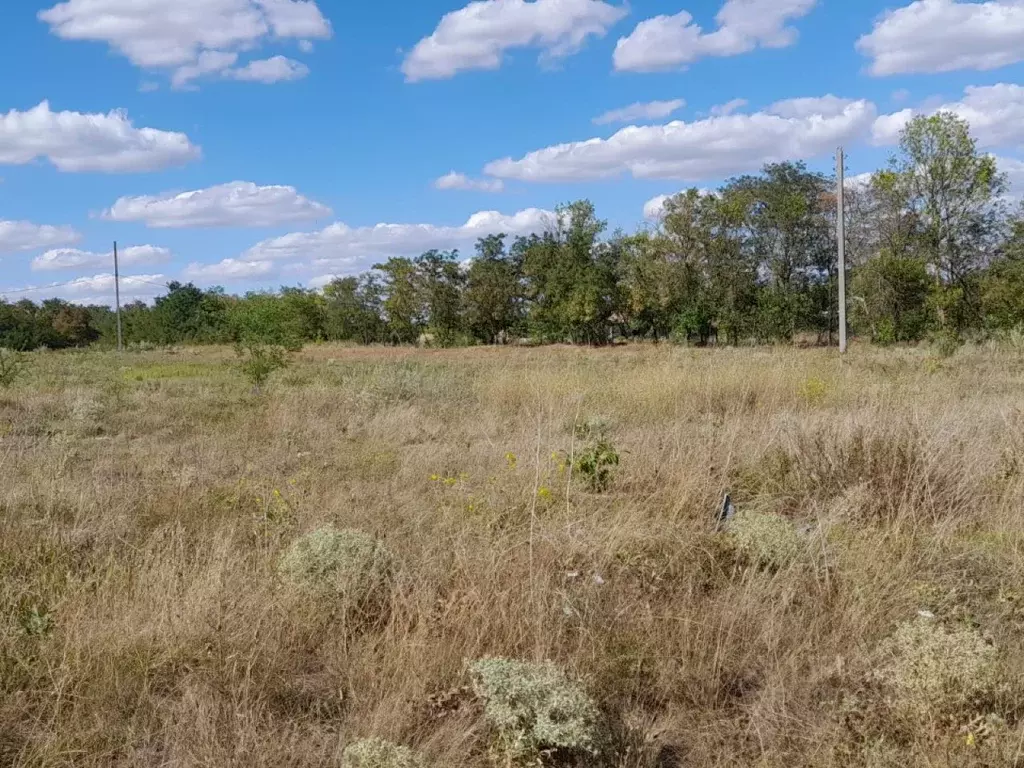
x=671 y=42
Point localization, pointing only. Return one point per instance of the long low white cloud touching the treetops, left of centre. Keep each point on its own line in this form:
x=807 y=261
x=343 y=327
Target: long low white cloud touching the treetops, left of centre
x=345 y=249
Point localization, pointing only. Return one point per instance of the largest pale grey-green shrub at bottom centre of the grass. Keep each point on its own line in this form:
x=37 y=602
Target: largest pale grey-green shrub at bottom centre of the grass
x=535 y=708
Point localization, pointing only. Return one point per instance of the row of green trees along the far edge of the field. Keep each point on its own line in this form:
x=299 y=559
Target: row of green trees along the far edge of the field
x=934 y=249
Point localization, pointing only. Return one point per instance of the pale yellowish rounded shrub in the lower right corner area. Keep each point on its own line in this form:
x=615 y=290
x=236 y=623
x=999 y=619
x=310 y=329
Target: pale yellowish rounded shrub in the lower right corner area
x=931 y=672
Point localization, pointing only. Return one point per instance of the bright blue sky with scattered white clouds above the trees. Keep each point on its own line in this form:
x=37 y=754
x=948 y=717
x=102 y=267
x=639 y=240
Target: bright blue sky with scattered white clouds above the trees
x=251 y=144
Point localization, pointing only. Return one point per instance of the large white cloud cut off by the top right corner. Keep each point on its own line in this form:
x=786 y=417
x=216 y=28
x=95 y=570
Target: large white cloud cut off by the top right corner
x=930 y=36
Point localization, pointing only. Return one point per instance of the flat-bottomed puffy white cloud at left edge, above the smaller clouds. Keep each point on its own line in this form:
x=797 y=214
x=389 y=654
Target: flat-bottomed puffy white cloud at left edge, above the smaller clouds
x=76 y=143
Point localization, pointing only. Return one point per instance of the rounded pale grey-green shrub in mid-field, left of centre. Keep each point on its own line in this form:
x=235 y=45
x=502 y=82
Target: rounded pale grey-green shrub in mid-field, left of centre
x=332 y=564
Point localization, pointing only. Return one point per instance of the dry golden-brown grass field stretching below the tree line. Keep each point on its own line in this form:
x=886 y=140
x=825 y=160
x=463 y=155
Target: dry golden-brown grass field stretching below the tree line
x=147 y=502
